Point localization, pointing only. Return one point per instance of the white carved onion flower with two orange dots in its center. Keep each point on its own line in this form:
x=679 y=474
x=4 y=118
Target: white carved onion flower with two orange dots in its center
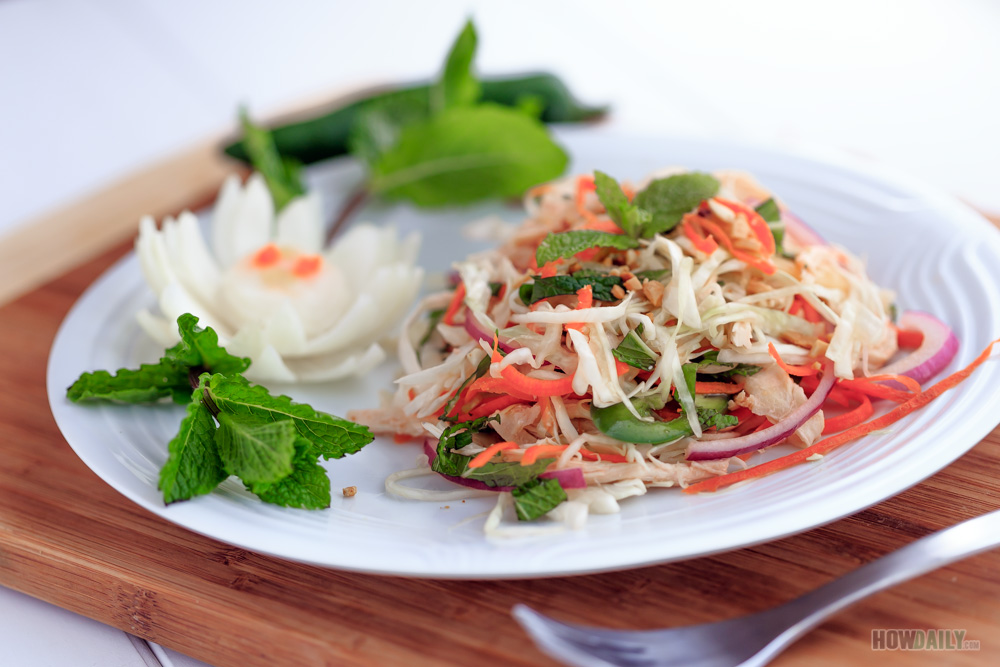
x=267 y=286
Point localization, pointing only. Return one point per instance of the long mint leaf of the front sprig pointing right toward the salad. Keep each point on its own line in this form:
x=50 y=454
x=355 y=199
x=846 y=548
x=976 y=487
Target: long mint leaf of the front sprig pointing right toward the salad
x=331 y=437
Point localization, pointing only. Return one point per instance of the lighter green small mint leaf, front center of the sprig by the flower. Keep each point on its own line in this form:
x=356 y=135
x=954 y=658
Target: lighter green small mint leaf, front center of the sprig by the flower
x=255 y=450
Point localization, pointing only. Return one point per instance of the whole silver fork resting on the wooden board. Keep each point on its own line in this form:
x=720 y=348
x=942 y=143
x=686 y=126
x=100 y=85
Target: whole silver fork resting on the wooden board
x=756 y=639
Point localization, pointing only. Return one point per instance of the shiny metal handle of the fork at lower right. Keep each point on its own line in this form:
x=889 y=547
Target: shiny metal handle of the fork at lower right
x=928 y=553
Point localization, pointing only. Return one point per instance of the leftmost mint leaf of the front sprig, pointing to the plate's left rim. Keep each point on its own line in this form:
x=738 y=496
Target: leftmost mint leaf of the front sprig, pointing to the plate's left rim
x=149 y=383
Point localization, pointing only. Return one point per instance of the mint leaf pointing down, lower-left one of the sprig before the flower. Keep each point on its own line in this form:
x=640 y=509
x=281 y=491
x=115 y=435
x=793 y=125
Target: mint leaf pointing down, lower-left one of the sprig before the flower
x=193 y=466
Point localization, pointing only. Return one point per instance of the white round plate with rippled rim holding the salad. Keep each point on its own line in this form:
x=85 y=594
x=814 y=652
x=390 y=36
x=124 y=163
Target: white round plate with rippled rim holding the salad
x=937 y=254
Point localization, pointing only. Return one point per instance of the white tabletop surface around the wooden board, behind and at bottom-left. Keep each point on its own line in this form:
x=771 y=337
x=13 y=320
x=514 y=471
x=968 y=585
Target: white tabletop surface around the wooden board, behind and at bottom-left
x=92 y=89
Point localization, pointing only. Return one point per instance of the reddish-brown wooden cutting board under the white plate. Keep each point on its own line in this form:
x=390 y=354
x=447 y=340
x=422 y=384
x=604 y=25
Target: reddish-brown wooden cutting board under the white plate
x=68 y=538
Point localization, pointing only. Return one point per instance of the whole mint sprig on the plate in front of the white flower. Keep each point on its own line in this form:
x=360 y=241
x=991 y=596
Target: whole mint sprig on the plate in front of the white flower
x=231 y=426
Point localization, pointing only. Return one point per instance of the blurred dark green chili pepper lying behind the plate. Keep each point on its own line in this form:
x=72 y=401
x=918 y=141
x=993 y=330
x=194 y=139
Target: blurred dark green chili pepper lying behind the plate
x=327 y=136
